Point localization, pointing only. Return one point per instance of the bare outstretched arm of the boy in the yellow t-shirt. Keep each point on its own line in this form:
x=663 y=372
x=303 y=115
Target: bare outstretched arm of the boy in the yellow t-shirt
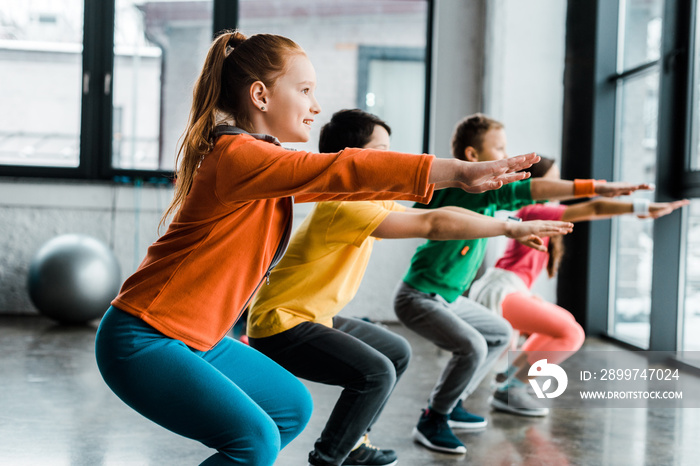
x=454 y=223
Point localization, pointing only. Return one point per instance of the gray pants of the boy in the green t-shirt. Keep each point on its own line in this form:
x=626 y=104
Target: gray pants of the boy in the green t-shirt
x=474 y=335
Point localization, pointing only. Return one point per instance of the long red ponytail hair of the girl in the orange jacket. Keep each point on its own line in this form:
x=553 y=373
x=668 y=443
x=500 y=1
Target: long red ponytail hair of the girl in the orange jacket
x=234 y=62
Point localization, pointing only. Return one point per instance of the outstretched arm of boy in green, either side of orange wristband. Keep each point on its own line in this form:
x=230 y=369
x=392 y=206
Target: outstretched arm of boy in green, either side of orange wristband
x=551 y=189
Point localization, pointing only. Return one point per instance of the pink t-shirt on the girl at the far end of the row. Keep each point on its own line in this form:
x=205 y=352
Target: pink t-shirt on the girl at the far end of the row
x=526 y=262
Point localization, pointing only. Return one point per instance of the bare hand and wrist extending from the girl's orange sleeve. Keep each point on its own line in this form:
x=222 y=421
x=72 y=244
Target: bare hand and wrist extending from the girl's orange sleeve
x=477 y=177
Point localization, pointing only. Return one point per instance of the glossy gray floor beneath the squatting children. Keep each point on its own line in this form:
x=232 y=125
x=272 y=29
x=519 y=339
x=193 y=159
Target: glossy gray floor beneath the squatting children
x=55 y=410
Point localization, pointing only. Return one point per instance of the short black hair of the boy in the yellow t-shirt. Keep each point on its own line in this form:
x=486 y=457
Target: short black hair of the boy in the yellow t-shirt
x=349 y=128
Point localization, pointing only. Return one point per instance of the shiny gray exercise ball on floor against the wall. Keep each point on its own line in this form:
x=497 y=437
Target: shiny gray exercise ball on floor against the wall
x=73 y=278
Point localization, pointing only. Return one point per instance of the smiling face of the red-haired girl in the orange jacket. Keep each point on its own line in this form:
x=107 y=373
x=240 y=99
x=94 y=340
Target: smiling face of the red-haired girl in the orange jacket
x=291 y=104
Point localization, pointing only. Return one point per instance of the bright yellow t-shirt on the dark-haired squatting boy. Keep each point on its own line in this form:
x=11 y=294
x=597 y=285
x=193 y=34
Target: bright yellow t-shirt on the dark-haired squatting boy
x=322 y=268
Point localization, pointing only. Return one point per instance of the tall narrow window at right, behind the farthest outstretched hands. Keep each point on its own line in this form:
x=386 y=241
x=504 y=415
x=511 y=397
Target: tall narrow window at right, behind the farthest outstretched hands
x=635 y=160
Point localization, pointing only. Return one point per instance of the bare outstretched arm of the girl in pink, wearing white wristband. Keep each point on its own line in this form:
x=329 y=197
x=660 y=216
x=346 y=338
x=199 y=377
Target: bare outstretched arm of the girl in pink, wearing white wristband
x=598 y=209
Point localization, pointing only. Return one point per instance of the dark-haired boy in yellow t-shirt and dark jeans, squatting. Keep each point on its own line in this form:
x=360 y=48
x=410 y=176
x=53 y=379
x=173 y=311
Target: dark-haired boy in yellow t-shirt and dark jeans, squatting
x=294 y=320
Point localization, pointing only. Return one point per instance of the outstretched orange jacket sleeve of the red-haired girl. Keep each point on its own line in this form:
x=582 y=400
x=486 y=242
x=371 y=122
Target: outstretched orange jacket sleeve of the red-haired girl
x=250 y=169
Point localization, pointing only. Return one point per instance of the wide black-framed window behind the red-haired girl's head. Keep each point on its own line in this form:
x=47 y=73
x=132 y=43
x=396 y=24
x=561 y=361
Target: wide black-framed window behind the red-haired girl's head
x=103 y=89
